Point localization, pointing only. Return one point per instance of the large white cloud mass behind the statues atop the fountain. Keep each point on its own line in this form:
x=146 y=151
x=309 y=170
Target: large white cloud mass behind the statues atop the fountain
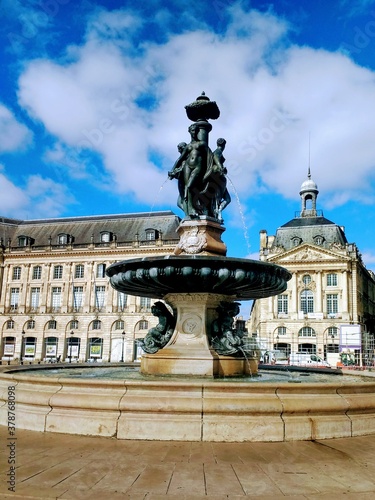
x=126 y=103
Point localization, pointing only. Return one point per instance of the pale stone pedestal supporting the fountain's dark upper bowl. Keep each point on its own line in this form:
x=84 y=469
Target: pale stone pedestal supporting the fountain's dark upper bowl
x=189 y=352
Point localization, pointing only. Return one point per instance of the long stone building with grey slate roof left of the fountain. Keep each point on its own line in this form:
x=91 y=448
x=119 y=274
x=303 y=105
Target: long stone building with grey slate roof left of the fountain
x=55 y=298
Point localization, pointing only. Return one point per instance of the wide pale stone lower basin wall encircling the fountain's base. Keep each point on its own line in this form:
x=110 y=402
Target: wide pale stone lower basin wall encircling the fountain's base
x=190 y=410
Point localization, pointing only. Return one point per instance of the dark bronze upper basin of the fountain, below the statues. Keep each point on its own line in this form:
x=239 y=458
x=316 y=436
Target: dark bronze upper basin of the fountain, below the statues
x=155 y=277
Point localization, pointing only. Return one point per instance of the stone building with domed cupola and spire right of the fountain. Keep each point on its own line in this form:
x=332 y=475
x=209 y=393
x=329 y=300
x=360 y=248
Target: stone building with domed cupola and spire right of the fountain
x=329 y=305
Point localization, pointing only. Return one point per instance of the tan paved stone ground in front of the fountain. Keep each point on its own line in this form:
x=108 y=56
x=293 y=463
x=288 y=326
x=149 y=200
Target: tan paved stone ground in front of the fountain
x=75 y=467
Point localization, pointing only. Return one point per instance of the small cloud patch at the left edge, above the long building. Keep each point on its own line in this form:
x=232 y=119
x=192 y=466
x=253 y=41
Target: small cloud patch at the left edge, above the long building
x=13 y=134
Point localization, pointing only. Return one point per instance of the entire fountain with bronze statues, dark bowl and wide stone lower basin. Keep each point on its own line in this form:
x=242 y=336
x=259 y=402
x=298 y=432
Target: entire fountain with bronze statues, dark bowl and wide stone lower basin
x=194 y=336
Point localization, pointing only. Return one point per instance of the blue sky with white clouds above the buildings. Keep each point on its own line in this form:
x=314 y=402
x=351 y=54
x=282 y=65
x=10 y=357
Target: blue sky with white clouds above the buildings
x=92 y=107
